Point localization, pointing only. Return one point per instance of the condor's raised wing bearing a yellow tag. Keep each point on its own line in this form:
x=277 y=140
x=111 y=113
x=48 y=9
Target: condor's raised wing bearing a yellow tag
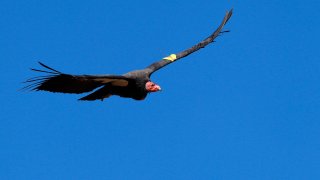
x=173 y=57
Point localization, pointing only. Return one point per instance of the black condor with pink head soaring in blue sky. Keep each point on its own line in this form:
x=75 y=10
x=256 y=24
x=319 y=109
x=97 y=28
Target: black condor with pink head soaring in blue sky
x=134 y=84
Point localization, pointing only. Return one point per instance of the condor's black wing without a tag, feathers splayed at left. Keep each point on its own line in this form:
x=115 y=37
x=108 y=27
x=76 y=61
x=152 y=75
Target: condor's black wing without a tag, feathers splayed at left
x=55 y=81
